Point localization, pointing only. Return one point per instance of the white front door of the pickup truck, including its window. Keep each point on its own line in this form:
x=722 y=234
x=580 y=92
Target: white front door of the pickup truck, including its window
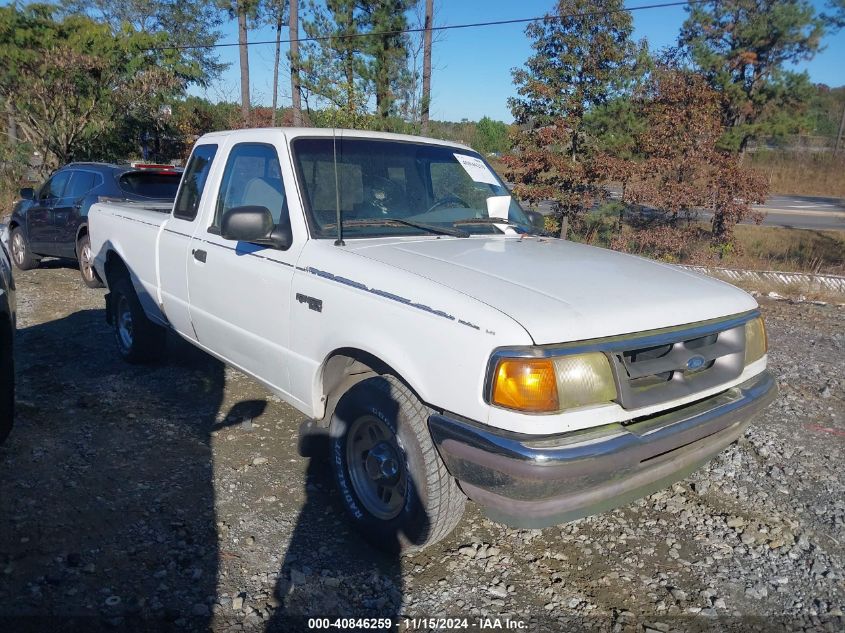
x=240 y=292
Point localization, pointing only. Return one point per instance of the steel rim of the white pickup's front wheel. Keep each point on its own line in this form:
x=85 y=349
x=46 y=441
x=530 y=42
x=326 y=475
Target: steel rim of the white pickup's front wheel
x=376 y=467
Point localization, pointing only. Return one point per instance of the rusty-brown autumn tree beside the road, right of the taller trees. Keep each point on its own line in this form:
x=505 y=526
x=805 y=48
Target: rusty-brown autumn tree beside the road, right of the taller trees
x=678 y=169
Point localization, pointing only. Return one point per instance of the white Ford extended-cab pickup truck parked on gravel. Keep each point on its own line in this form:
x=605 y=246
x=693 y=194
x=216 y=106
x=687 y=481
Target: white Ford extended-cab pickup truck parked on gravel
x=391 y=290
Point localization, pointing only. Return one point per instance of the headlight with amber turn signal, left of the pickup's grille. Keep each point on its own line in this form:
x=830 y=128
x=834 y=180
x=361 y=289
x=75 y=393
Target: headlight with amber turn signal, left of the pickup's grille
x=548 y=385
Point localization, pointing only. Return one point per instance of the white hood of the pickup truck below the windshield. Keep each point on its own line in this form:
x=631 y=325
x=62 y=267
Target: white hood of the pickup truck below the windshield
x=561 y=291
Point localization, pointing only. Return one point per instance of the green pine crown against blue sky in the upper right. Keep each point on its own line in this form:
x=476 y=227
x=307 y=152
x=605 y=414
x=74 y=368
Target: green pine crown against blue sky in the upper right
x=743 y=48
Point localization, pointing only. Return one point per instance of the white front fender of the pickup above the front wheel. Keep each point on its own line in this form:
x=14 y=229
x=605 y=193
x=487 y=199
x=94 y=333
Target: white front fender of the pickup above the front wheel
x=436 y=339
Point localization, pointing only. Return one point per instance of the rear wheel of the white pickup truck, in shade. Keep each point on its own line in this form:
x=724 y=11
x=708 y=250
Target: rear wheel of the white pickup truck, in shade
x=138 y=339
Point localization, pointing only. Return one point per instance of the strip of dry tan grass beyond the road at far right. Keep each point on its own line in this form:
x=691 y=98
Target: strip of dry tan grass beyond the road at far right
x=802 y=173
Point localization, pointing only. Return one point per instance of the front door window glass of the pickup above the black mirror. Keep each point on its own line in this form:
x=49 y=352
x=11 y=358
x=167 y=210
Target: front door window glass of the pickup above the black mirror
x=252 y=177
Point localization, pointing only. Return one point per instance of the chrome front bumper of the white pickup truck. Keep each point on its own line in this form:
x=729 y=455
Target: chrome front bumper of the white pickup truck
x=535 y=481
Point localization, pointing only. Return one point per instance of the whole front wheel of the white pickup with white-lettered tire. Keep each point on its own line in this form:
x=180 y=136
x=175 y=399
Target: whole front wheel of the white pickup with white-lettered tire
x=428 y=504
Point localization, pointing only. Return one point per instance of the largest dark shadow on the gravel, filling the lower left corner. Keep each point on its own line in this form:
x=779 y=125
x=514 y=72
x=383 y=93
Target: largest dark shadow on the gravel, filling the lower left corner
x=107 y=514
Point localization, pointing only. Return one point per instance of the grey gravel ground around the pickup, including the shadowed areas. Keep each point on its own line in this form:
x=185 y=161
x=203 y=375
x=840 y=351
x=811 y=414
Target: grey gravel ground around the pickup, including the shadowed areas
x=173 y=498
